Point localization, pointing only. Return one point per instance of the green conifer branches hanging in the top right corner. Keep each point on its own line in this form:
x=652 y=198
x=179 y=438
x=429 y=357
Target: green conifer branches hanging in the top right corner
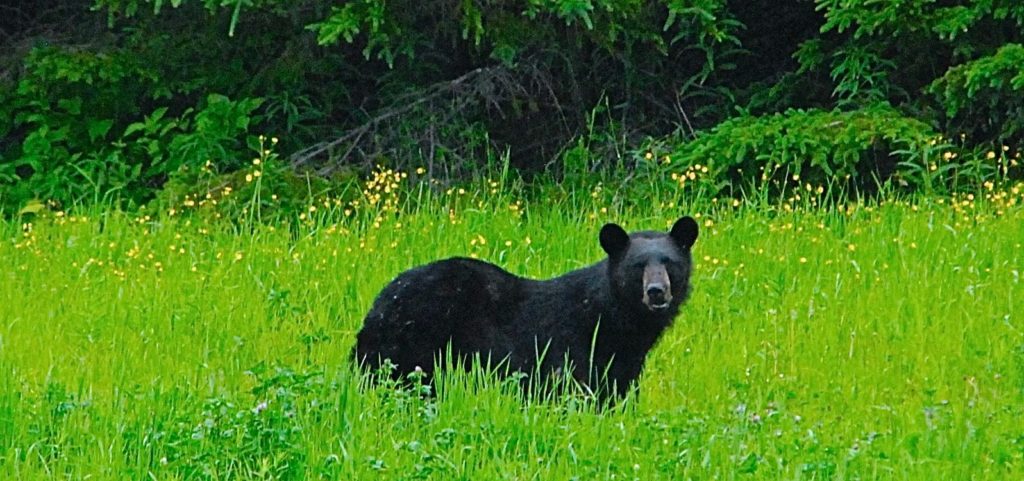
x=890 y=51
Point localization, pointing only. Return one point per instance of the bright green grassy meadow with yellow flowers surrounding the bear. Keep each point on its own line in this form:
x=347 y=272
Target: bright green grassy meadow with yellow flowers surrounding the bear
x=869 y=342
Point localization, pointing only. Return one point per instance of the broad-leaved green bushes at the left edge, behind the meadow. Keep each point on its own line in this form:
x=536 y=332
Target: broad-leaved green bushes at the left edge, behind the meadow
x=88 y=134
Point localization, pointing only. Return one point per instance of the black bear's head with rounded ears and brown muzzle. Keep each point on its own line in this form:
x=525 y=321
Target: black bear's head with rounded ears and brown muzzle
x=650 y=271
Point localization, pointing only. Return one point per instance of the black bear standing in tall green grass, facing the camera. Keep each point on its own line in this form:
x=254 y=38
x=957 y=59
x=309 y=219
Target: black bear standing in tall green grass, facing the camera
x=474 y=308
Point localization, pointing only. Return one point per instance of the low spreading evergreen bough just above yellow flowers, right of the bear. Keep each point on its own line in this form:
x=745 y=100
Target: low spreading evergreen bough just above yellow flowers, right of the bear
x=804 y=147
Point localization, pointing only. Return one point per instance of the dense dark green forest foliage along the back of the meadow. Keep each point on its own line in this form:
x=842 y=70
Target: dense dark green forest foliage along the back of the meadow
x=109 y=100
